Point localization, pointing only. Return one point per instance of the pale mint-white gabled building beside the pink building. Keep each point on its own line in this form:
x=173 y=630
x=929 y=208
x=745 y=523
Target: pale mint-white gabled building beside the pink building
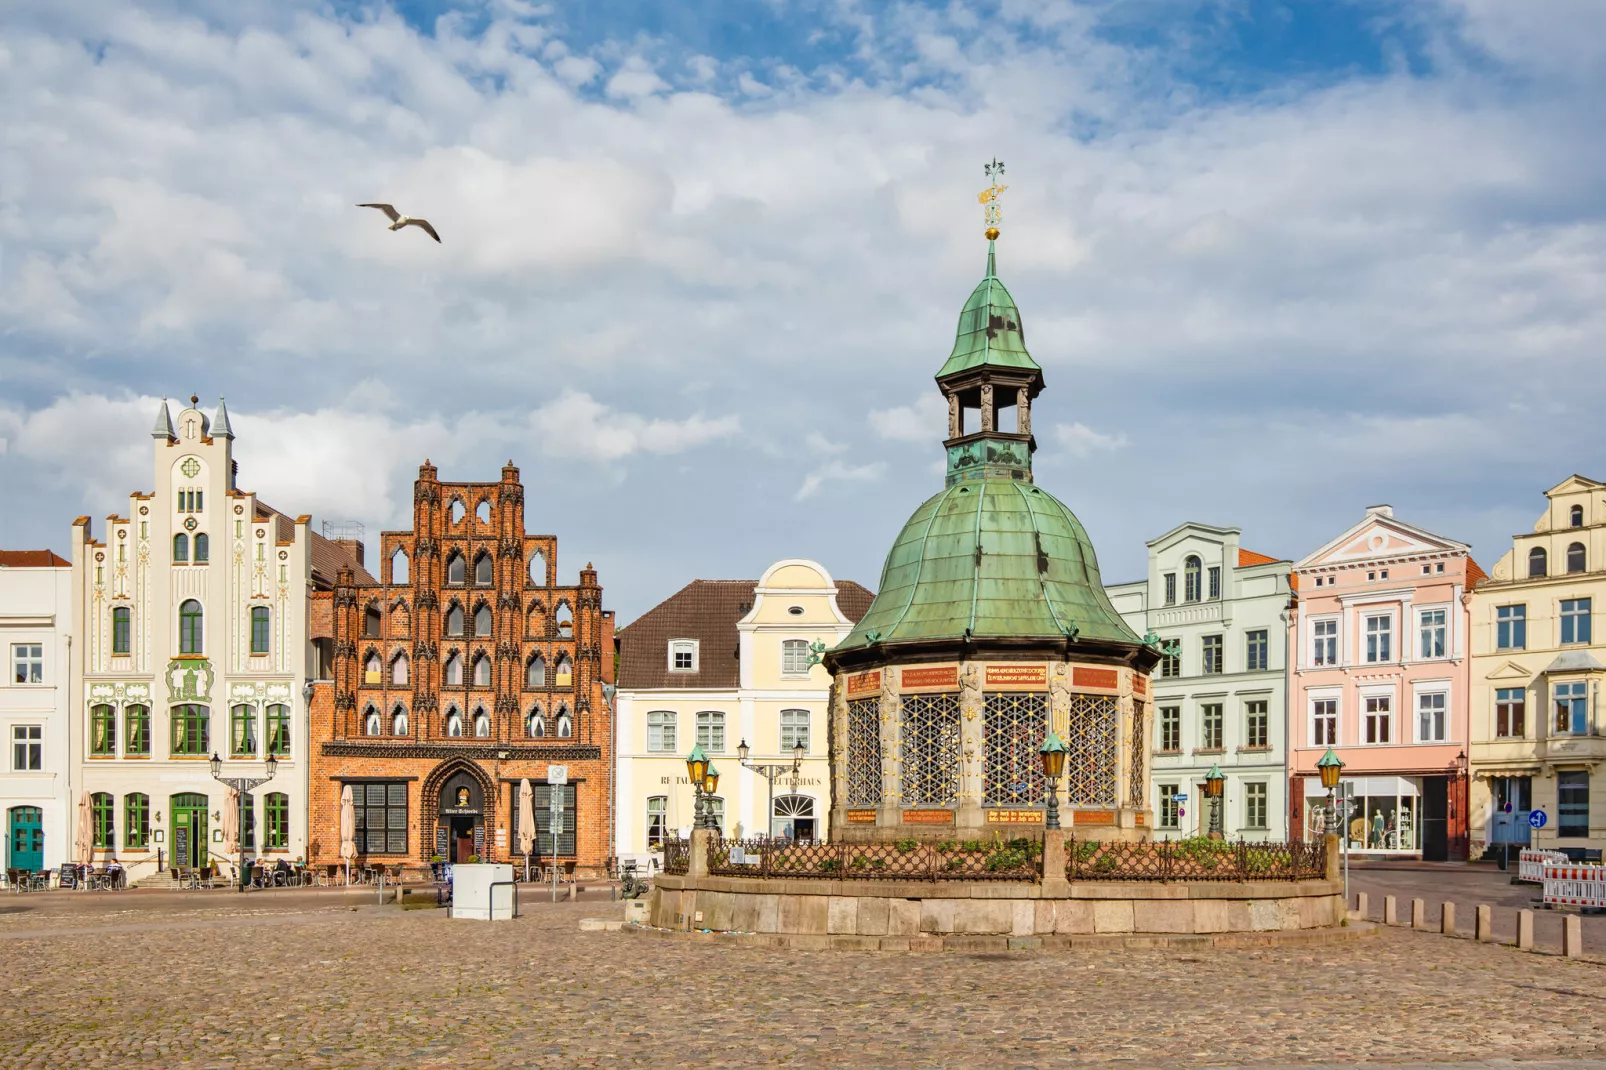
x=1221 y=700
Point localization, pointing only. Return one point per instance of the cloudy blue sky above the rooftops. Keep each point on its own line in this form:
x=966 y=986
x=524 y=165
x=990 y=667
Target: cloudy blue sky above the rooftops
x=1279 y=261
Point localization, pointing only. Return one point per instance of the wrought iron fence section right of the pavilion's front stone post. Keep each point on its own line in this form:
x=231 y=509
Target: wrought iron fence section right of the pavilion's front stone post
x=1196 y=860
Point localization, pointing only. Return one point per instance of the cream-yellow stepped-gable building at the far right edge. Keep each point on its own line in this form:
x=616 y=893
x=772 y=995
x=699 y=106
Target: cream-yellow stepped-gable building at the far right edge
x=1538 y=733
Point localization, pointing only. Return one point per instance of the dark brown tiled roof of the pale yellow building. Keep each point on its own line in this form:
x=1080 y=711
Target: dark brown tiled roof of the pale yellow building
x=706 y=611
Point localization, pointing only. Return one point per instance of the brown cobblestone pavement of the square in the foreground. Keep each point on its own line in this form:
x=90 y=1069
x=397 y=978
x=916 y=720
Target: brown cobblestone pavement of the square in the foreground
x=317 y=981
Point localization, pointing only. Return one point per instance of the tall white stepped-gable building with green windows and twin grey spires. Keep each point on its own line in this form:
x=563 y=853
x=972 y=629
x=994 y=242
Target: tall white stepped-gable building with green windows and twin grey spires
x=192 y=640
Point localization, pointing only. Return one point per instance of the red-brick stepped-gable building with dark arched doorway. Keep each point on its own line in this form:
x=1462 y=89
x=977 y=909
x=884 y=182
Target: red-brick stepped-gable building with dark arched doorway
x=460 y=672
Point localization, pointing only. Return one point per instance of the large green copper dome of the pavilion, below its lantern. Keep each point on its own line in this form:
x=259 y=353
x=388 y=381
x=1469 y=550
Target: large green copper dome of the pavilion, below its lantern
x=997 y=558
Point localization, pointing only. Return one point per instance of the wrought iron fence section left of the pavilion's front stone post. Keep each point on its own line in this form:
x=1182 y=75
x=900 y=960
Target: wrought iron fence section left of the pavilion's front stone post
x=903 y=860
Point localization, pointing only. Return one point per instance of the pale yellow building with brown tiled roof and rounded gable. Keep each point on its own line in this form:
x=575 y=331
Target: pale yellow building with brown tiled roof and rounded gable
x=719 y=664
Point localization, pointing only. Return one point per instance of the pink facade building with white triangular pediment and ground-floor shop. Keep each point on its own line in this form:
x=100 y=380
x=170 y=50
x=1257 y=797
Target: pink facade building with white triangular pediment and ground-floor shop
x=1380 y=672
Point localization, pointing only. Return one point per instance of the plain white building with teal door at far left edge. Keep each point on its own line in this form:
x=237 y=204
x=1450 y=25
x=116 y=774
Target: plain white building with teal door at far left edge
x=36 y=639
